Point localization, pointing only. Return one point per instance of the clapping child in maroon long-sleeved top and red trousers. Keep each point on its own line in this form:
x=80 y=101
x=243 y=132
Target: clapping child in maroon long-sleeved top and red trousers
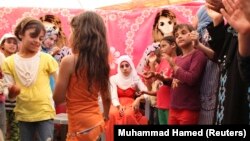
x=188 y=70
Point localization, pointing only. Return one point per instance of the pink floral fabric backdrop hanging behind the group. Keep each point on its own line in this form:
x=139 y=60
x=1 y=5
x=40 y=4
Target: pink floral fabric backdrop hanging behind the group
x=129 y=32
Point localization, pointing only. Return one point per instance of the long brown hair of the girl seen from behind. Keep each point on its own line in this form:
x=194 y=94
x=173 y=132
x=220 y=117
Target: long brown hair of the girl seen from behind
x=89 y=41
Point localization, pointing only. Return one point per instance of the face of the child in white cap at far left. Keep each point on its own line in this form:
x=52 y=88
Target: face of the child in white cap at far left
x=10 y=45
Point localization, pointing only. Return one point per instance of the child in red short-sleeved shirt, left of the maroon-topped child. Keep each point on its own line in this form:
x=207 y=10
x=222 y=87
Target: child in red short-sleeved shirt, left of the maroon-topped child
x=168 y=48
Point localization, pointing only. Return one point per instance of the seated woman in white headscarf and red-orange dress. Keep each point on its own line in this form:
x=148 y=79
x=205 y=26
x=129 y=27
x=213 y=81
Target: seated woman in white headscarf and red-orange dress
x=125 y=107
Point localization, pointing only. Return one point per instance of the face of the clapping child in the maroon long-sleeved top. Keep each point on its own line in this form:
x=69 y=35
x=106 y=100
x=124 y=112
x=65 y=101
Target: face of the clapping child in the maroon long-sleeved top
x=182 y=37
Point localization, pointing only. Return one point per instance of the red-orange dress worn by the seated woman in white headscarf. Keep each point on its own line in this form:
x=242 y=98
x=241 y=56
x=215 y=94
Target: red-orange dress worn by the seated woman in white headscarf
x=130 y=117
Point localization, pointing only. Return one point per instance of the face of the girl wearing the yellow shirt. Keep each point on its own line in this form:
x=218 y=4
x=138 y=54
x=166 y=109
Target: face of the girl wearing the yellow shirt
x=30 y=42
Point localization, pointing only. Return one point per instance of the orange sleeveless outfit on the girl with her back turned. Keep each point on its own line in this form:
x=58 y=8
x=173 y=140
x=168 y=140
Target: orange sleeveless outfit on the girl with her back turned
x=85 y=121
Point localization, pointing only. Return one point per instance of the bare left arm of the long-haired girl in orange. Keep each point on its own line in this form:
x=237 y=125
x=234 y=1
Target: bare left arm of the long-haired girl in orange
x=62 y=81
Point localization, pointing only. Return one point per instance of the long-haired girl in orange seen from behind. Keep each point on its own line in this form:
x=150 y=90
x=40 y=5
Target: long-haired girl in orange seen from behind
x=82 y=76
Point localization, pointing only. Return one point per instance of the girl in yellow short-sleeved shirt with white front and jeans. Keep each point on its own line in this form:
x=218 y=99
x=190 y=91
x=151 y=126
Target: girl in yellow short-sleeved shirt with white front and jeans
x=30 y=70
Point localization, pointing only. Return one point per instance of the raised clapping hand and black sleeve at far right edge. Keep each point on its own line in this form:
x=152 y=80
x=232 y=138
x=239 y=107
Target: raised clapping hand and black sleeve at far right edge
x=237 y=17
